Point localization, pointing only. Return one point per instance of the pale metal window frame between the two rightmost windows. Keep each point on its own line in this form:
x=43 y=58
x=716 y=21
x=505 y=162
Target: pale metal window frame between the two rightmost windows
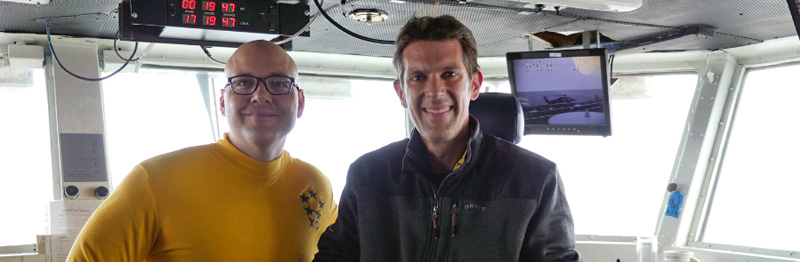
x=683 y=234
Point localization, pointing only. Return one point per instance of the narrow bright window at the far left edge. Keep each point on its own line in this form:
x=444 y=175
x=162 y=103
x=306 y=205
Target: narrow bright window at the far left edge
x=26 y=173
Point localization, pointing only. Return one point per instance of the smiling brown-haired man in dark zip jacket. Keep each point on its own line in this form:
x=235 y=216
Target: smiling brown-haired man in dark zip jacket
x=449 y=192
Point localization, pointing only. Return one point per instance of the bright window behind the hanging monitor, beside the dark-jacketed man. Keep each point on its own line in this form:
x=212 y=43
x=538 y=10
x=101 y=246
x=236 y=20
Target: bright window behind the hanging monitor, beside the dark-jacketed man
x=615 y=185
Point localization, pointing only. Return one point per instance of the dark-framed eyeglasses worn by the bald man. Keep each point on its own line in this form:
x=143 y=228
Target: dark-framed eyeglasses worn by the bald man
x=275 y=84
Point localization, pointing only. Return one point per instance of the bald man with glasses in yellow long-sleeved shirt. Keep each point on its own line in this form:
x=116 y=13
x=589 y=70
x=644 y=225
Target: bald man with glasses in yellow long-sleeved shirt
x=242 y=198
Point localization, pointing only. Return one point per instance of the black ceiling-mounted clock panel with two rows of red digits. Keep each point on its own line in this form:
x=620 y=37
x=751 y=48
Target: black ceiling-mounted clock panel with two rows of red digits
x=219 y=22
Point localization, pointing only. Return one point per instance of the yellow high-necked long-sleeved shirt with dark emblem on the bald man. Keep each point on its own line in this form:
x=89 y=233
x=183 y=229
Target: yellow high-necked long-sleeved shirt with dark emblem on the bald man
x=211 y=203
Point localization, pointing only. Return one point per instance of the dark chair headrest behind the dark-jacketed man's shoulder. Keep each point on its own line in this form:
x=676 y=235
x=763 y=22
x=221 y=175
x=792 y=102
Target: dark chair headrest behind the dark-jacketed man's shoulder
x=499 y=114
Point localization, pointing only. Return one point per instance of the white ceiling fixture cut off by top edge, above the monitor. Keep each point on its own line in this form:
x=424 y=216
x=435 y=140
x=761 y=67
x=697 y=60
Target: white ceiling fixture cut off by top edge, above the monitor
x=598 y=5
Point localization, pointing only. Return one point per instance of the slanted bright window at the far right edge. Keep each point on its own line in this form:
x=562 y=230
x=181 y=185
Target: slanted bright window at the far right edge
x=755 y=198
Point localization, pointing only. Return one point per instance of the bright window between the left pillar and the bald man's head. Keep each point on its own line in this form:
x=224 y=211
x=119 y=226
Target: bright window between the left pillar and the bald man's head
x=152 y=113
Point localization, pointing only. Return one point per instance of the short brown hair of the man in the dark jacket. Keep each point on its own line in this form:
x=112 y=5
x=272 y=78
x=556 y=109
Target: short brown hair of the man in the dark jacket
x=438 y=28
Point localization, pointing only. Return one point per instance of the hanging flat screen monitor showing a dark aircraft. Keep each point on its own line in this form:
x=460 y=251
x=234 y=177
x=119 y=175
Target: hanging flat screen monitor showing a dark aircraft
x=562 y=92
